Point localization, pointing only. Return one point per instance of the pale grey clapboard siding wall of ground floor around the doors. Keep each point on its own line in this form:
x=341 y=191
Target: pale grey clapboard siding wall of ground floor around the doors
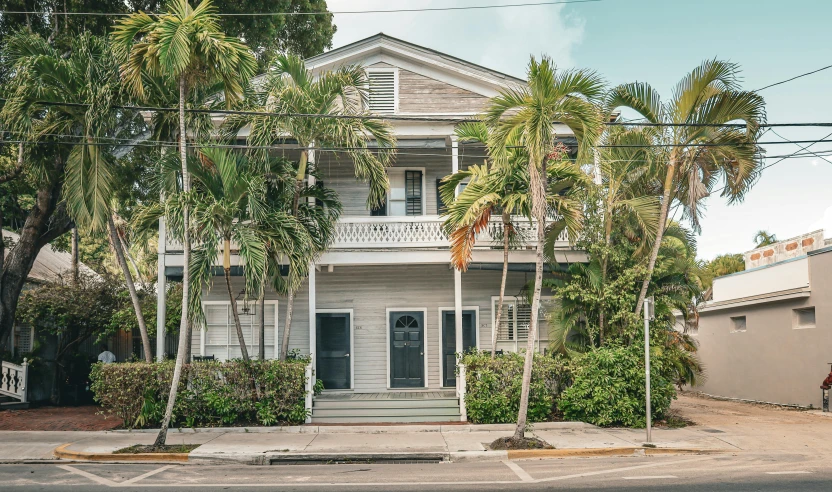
x=369 y=291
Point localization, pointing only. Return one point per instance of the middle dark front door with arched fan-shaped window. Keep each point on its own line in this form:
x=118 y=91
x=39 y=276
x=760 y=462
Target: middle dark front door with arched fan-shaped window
x=407 y=349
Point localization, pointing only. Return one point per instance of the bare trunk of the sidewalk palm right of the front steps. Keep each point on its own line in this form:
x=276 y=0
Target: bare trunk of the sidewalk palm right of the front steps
x=537 y=185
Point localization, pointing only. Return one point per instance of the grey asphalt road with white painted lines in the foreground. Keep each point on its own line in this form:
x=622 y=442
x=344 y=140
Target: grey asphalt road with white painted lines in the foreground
x=741 y=472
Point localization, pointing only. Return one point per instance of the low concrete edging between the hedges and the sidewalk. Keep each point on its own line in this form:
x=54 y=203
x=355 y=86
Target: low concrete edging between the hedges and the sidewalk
x=366 y=429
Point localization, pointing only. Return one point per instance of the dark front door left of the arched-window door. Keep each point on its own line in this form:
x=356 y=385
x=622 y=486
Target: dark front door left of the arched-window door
x=333 y=350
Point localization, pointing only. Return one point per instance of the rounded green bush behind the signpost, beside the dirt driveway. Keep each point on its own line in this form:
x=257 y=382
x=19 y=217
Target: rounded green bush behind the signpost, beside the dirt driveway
x=609 y=387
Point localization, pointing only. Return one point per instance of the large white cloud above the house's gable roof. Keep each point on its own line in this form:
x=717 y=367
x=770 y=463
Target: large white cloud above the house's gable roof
x=500 y=39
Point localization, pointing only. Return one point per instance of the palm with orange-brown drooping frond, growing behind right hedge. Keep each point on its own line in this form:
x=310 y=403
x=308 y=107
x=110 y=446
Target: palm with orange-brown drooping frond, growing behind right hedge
x=502 y=190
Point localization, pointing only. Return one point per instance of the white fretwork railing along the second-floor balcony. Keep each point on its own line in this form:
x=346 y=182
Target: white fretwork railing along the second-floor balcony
x=424 y=231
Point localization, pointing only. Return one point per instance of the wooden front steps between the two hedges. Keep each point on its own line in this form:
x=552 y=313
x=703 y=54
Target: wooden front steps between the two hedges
x=385 y=407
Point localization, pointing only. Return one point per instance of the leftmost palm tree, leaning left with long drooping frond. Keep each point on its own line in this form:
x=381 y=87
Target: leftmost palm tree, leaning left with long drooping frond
x=87 y=73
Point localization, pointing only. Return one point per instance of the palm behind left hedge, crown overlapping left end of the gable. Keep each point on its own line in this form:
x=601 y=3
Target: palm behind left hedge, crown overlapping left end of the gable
x=290 y=89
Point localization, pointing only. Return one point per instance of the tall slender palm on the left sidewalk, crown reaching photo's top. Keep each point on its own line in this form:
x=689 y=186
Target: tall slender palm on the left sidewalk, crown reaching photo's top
x=186 y=44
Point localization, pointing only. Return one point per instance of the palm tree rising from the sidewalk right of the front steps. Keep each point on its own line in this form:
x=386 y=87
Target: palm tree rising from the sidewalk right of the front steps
x=528 y=116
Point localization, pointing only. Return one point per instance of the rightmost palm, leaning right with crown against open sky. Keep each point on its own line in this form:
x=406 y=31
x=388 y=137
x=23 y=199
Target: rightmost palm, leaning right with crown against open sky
x=695 y=150
